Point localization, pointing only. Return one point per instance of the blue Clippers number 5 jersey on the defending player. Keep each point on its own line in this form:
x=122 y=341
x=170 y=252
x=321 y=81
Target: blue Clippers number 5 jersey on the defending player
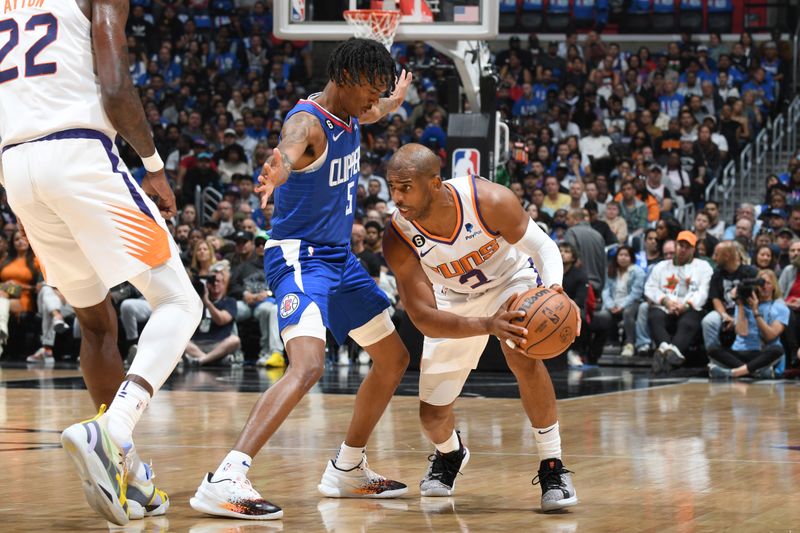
x=318 y=205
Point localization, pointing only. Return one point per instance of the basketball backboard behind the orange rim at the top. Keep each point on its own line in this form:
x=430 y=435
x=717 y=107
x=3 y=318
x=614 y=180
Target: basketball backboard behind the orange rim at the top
x=444 y=20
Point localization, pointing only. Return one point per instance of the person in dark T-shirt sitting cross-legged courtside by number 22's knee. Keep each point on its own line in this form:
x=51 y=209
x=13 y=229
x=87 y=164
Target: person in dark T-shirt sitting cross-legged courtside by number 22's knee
x=214 y=337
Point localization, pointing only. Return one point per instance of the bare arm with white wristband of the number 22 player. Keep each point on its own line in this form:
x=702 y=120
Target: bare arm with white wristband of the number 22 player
x=121 y=101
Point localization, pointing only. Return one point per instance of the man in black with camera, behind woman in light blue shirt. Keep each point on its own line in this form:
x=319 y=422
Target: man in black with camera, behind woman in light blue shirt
x=729 y=273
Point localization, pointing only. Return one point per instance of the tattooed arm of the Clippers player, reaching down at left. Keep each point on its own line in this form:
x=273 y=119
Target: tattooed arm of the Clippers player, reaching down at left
x=302 y=142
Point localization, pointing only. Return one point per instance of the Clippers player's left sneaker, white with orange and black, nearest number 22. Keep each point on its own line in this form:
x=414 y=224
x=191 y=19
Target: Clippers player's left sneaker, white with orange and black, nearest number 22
x=233 y=497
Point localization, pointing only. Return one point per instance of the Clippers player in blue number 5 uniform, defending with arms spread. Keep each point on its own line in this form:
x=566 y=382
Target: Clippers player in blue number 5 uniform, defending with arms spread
x=319 y=283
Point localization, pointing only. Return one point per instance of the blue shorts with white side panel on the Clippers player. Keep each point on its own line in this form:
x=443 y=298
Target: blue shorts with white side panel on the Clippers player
x=299 y=272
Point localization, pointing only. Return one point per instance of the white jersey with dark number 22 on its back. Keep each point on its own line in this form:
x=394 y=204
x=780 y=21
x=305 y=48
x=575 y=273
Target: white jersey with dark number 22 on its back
x=47 y=78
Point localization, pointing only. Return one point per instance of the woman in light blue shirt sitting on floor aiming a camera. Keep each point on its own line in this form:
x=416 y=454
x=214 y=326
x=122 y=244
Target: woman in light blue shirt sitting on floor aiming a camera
x=760 y=318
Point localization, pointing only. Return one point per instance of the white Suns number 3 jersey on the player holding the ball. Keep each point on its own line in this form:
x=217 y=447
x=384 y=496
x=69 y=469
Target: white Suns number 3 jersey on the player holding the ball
x=473 y=259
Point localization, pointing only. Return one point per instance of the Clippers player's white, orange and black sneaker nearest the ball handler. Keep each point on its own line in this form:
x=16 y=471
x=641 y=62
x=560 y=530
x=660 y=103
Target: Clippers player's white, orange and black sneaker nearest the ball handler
x=358 y=482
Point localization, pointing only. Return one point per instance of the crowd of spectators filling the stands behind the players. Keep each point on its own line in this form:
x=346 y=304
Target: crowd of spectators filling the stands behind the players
x=610 y=148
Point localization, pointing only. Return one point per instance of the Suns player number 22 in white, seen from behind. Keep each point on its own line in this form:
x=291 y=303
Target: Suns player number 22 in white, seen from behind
x=65 y=94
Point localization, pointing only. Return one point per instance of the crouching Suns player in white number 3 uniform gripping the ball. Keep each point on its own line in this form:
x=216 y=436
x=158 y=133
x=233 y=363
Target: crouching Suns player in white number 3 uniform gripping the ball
x=462 y=250
